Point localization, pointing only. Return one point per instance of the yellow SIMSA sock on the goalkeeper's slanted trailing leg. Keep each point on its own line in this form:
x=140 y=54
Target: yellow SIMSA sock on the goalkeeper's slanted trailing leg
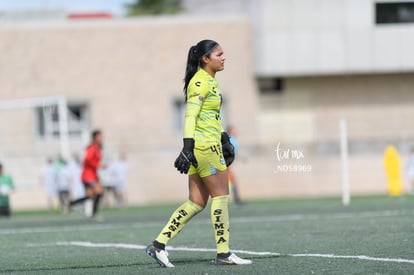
x=178 y=220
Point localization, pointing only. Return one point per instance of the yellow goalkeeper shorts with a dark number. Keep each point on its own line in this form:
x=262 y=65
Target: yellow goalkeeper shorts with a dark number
x=209 y=160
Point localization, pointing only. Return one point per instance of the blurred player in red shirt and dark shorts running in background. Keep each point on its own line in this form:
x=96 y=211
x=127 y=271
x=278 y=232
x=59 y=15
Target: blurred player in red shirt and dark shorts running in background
x=89 y=176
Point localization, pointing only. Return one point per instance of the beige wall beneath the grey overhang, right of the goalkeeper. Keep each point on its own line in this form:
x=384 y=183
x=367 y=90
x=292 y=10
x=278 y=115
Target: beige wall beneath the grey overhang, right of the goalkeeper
x=305 y=117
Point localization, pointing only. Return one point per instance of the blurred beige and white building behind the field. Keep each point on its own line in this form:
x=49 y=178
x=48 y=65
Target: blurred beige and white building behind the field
x=294 y=70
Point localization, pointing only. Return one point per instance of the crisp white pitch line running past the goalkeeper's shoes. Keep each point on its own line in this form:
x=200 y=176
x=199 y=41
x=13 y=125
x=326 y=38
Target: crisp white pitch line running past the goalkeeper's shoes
x=247 y=252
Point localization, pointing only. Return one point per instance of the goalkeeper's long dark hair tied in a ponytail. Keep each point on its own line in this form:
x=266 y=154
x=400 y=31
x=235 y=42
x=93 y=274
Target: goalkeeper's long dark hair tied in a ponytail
x=196 y=52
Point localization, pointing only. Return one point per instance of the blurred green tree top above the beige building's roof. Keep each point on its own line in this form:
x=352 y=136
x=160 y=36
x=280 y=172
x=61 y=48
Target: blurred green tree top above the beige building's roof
x=154 y=7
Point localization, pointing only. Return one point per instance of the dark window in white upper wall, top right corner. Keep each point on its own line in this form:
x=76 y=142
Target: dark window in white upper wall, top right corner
x=394 y=12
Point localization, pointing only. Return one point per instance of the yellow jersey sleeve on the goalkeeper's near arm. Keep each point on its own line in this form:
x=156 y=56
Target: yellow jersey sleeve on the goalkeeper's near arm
x=196 y=93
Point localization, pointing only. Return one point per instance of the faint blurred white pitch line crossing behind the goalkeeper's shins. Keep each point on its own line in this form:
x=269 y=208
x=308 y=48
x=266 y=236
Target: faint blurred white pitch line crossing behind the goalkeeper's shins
x=278 y=218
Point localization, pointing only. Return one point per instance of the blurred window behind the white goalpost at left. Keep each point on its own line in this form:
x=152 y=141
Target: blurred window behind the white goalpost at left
x=47 y=118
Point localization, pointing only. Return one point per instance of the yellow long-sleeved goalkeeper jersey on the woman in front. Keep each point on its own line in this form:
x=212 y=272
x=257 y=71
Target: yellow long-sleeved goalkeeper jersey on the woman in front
x=202 y=115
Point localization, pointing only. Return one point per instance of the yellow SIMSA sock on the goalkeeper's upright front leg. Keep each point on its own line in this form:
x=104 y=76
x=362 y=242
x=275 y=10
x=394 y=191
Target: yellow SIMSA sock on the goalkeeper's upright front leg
x=220 y=221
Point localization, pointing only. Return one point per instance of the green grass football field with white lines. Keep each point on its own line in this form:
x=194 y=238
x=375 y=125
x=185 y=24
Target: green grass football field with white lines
x=374 y=235
